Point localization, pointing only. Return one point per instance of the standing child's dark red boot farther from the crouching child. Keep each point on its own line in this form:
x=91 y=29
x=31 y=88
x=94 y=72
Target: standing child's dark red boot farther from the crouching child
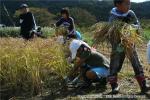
x=142 y=83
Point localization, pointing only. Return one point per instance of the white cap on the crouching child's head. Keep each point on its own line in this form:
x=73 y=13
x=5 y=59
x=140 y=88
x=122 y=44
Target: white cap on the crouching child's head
x=75 y=45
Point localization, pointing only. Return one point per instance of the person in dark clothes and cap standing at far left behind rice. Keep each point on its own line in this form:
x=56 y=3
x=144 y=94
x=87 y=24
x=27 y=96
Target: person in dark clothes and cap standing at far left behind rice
x=27 y=22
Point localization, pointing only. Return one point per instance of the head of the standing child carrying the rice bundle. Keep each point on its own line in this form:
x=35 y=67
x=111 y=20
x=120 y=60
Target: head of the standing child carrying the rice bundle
x=122 y=5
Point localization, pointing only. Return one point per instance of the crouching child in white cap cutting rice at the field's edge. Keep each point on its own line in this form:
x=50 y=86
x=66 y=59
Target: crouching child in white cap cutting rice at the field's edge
x=94 y=66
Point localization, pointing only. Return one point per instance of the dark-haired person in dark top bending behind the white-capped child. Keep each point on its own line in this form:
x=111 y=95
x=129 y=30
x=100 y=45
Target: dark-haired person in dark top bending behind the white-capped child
x=68 y=22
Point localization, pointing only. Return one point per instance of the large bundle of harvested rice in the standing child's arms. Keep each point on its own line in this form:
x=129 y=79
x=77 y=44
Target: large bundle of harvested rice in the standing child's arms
x=118 y=32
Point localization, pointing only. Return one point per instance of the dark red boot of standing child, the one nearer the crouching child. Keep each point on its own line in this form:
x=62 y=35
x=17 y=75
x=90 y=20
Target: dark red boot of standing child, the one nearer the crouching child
x=115 y=87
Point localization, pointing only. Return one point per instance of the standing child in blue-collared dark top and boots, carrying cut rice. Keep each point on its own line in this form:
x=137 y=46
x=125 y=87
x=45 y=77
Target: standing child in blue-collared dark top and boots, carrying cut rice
x=122 y=13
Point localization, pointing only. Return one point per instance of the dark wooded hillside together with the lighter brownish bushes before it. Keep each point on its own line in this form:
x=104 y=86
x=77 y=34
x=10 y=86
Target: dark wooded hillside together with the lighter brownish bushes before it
x=84 y=12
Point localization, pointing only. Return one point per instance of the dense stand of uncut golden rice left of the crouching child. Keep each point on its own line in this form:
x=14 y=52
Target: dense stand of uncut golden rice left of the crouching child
x=25 y=65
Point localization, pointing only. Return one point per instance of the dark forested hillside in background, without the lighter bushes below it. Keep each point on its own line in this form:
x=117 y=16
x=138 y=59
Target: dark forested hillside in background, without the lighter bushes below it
x=99 y=9
